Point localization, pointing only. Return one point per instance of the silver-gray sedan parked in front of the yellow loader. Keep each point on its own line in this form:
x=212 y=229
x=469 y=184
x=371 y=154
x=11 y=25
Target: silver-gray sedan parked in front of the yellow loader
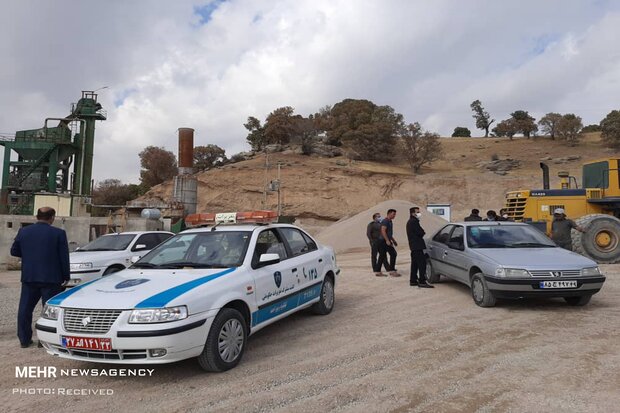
x=510 y=260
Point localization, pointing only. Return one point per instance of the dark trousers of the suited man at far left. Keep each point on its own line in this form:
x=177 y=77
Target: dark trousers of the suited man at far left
x=30 y=296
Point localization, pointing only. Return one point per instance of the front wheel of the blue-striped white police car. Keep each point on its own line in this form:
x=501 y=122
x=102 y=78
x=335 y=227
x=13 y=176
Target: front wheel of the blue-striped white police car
x=225 y=342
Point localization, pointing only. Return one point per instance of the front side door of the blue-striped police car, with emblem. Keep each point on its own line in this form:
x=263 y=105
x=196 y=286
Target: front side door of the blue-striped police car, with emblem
x=275 y=283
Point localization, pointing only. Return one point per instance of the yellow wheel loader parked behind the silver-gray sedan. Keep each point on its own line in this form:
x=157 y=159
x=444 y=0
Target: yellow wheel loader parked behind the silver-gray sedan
x=595 y=206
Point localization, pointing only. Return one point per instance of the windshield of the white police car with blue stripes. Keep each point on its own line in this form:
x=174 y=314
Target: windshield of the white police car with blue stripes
x=212 y=249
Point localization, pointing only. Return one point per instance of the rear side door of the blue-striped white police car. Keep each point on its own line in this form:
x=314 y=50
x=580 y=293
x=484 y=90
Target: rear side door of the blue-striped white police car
x=306 y=263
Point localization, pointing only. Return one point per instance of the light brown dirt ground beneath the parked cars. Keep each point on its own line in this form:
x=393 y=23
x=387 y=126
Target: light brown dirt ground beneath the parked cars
x=385 y=347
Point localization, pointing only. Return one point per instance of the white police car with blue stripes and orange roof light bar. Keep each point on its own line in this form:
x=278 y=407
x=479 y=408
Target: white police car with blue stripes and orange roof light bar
x=199 y=294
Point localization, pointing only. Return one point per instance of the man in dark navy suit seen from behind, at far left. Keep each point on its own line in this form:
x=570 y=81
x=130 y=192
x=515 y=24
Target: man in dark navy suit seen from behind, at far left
x=45 y=267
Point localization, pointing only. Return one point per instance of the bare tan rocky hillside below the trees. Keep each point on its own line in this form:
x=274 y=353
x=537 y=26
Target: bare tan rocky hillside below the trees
x=474 y=173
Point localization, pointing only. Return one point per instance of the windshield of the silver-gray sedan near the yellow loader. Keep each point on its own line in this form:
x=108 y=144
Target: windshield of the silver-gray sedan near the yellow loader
x=507 y=236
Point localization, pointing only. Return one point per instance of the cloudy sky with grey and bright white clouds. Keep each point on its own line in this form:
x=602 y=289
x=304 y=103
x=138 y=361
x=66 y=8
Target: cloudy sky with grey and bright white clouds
x=211 y=64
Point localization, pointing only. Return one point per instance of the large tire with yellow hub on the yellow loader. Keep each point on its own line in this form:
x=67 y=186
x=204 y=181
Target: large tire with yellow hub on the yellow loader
x=601 y=241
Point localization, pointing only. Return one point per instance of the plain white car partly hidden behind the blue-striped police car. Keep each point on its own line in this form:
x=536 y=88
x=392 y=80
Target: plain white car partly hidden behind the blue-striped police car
x=111 y=253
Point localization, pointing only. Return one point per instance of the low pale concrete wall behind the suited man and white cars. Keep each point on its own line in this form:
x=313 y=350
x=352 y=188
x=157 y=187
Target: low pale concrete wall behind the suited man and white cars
x=79 y=231
